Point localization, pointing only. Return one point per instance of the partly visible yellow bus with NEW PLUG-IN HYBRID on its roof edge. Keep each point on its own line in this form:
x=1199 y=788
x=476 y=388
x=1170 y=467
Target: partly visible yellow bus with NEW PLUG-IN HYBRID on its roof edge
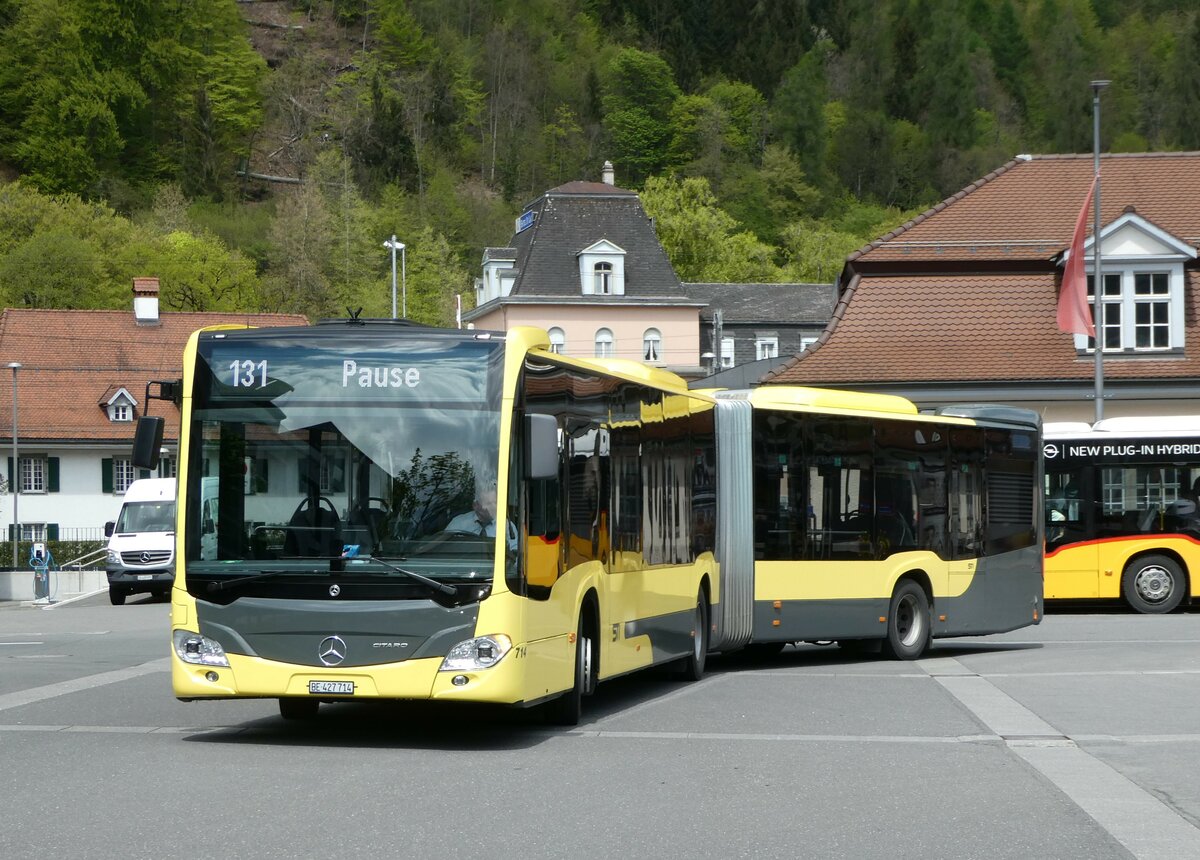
x=1121 y=508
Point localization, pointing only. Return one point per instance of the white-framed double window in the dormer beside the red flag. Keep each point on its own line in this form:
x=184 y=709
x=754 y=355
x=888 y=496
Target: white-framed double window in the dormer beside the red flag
x=1137 y=312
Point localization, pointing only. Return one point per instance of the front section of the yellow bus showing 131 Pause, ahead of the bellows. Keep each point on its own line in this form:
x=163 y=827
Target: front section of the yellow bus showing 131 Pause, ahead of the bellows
x=340 y=536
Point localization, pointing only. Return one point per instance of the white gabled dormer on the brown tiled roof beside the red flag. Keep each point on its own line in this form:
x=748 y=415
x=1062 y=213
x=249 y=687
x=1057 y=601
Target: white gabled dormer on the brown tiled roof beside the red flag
x=1143 y=298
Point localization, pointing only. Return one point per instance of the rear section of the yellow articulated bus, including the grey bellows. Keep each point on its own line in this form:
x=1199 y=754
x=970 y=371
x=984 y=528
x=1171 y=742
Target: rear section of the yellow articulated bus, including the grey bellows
x=869 y=524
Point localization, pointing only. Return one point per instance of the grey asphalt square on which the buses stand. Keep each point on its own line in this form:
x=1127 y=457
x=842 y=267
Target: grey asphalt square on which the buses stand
x=1075 y=739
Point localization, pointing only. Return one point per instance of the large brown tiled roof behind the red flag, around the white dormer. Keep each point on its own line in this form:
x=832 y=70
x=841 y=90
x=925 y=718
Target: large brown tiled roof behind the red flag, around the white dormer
x=968 y=292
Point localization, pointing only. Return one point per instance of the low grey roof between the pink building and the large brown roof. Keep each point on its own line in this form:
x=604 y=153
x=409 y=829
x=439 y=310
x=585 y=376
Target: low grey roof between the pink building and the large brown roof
x=757 y=303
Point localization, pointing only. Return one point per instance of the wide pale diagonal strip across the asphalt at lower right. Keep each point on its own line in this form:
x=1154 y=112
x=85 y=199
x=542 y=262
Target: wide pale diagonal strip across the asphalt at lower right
x=1138 y=820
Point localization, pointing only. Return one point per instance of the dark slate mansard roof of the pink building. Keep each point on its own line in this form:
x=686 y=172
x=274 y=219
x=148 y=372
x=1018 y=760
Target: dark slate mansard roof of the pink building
x=575 y=216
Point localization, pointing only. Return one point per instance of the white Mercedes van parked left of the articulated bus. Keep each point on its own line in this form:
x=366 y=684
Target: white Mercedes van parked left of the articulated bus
x=142 y=542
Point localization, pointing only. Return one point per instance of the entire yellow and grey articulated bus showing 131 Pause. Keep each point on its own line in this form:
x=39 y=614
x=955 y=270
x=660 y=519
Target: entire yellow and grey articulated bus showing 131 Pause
x=376 y=510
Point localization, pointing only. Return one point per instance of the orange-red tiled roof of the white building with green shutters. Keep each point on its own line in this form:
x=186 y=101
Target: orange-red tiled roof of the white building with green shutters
x=71 y=360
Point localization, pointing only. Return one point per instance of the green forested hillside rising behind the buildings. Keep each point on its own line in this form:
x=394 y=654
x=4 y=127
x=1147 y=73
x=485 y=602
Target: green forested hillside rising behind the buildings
x=256 y=154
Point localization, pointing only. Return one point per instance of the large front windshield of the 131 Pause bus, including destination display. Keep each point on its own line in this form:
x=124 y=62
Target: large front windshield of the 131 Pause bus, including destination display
x=344 y=449
